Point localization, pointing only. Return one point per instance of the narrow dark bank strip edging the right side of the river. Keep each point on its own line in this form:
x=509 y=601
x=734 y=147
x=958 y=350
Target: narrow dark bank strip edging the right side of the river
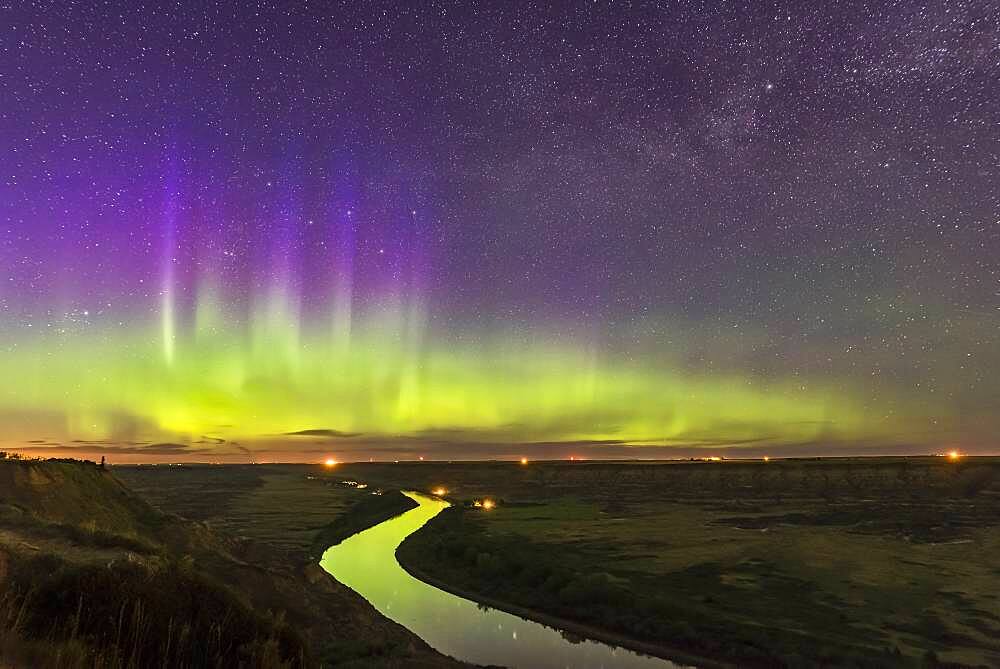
x=562 y=624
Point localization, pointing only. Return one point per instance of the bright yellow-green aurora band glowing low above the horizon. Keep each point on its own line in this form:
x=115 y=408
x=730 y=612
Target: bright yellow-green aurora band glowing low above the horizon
x=387 y=373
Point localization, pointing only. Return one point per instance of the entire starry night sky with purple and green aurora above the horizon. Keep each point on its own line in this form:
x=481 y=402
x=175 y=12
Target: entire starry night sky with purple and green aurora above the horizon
x=488 y=229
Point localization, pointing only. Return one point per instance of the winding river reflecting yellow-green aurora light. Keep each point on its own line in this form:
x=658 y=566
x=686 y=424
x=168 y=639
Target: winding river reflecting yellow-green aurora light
x=366 y=562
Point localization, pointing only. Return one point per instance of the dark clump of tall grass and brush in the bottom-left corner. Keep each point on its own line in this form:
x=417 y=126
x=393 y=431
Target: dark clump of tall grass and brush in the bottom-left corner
x=133 y=614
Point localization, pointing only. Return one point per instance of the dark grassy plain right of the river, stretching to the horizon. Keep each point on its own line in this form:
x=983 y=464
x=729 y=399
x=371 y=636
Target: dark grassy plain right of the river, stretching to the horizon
x=881 y=562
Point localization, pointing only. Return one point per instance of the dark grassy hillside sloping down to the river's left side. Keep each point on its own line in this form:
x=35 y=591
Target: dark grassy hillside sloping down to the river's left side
x=93 y=576
